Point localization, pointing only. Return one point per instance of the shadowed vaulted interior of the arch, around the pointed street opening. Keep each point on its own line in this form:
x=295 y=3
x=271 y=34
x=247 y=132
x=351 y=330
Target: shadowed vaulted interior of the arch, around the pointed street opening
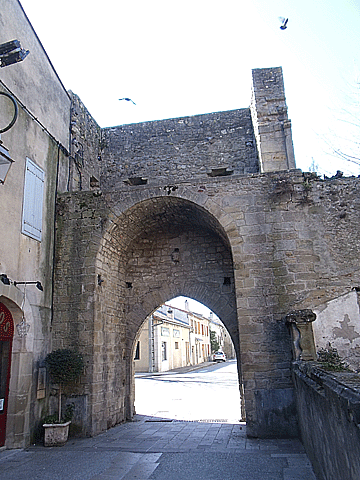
x=158 y=249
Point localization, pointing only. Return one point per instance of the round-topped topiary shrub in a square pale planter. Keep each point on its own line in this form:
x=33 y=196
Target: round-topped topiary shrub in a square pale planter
x=64 y=367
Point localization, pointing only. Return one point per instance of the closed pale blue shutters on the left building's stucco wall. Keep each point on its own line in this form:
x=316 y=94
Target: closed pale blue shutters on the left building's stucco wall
x=33 y=201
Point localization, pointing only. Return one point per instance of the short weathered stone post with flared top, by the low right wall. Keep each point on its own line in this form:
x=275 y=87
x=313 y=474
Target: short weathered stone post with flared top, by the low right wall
x=303 y=344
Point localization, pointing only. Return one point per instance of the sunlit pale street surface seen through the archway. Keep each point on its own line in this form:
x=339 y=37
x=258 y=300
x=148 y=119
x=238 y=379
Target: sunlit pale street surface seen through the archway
x=208 y=393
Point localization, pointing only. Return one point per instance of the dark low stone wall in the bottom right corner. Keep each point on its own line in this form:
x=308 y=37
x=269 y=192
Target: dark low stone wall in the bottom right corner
x=329 y=418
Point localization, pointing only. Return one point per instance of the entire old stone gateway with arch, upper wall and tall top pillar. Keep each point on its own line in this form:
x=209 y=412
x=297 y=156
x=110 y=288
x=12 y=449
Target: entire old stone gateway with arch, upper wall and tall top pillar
x=210 y=207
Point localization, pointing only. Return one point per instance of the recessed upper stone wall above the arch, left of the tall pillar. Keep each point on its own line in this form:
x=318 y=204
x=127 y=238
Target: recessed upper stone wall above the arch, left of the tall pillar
x=170 y=151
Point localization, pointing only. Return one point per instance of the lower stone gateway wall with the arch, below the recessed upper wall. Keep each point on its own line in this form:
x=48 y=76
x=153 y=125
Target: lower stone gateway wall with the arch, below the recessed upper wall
x=278 y=237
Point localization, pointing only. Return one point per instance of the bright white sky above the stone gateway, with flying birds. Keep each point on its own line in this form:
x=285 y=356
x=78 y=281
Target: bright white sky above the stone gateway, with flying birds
x=180 y=58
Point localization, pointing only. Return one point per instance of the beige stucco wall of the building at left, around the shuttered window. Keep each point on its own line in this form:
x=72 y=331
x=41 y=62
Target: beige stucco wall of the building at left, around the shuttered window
x=39 y=133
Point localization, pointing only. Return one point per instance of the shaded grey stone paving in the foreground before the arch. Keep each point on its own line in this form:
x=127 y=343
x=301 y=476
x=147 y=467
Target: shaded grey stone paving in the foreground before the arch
x=160 y=449
